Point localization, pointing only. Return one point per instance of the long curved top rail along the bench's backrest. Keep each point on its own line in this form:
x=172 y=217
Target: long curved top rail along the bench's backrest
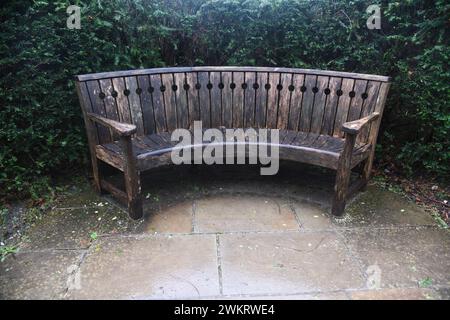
x=137 y=72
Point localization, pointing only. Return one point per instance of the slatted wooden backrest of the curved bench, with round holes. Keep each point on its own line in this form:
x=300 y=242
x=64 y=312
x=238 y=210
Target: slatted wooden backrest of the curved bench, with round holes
x=163 y=99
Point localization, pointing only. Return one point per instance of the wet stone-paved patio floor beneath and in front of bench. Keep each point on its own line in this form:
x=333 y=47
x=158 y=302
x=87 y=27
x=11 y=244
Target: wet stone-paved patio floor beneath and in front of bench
x=226 y=232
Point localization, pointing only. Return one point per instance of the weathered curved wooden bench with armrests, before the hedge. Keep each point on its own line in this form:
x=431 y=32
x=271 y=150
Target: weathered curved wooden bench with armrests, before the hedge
x=326 y=118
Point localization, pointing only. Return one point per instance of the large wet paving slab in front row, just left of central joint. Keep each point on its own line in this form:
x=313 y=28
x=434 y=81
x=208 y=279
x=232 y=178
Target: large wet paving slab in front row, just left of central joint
x=150 y=267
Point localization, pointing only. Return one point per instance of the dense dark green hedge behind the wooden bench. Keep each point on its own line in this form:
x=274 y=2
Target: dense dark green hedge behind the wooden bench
x=41 y=130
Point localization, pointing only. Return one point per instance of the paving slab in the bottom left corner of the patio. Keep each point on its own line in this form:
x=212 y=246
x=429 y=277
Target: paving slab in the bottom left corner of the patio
x=37 y=275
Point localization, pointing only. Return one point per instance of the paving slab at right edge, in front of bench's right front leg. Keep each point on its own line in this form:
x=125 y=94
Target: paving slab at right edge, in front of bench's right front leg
x=404 y=256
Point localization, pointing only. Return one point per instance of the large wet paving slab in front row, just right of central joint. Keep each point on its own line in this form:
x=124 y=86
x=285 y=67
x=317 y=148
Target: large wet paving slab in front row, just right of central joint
x=275 y=263
